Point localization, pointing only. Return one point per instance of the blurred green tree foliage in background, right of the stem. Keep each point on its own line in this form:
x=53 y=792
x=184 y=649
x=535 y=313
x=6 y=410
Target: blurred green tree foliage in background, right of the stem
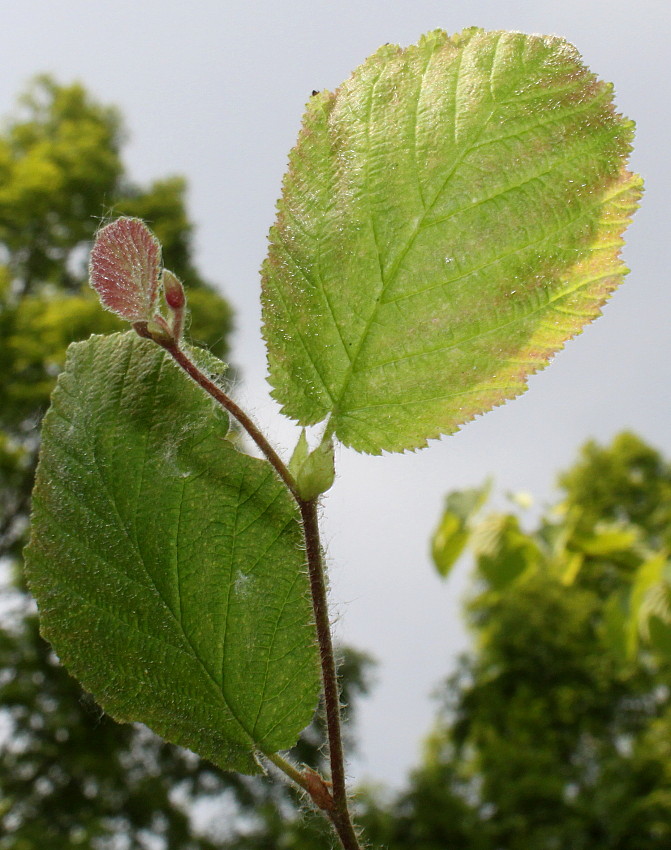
x=555 y=731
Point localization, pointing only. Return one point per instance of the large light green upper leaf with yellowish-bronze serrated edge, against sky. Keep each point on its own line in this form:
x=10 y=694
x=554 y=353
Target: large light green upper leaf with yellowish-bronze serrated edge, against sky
x=451 y=215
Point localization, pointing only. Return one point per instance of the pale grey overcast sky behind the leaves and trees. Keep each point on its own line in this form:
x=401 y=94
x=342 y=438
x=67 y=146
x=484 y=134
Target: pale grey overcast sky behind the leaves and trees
x=215 y=91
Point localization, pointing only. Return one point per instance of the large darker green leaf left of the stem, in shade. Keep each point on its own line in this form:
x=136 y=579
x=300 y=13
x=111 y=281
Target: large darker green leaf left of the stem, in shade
x=167 y=566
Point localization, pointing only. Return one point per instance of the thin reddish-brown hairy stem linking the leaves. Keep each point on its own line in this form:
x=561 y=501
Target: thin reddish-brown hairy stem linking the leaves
x=332 y=803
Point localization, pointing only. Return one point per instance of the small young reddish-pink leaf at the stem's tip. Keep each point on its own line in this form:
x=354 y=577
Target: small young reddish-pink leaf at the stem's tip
x=124 y=270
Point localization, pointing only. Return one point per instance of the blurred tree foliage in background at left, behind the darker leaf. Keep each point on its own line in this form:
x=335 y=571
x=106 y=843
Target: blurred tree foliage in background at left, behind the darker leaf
x=70 y=777
